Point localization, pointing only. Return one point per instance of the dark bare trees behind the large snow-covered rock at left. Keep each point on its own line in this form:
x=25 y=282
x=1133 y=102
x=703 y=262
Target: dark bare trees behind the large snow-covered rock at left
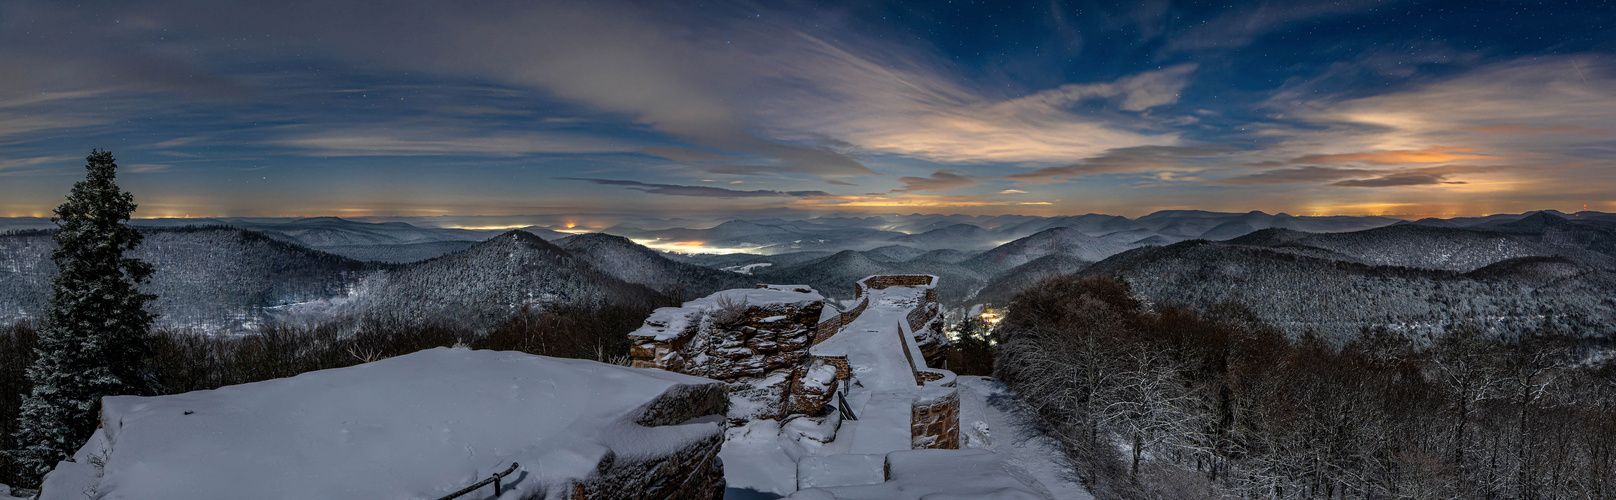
x=185 y=362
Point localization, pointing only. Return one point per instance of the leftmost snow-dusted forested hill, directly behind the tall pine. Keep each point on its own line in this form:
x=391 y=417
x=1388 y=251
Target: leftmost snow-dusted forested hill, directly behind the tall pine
x=206 y=278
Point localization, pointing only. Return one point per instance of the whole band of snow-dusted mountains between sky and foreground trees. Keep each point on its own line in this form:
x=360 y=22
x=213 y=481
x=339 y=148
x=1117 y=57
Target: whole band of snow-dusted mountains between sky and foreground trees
x=240 y=278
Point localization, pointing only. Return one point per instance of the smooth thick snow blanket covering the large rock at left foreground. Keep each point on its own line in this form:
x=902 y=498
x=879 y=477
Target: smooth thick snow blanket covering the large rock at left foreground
x=416 y=426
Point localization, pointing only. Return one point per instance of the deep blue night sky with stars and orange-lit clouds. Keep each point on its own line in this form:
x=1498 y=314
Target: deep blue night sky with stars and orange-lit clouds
x=717 y=109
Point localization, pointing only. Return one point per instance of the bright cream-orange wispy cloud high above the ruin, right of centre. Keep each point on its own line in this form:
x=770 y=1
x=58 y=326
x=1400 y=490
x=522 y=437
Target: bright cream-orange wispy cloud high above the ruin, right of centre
x=927 y=116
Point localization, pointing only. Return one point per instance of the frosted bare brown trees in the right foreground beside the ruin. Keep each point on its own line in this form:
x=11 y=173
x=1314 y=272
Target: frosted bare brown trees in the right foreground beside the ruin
x=1172 y=404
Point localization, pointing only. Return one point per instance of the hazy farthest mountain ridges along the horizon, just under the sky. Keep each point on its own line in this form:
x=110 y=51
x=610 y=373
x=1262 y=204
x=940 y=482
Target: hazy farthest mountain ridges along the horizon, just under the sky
x=398 y=242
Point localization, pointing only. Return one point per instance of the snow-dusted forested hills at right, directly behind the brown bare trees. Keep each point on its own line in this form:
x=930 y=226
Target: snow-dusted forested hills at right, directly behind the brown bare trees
x=1302 y=289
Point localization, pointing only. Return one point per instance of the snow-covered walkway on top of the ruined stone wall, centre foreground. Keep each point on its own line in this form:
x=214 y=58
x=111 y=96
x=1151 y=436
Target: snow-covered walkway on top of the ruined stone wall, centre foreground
x=849 y=459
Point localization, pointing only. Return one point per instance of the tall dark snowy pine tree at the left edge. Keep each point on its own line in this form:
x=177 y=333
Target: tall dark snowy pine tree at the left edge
x=96 y=326
